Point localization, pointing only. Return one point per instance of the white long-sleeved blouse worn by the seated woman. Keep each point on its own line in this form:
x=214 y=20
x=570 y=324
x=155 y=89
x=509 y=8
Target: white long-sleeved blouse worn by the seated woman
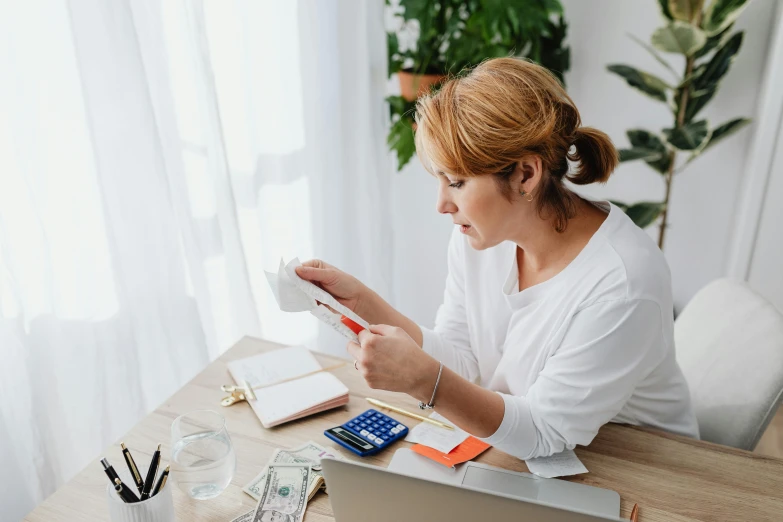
x=591 y=345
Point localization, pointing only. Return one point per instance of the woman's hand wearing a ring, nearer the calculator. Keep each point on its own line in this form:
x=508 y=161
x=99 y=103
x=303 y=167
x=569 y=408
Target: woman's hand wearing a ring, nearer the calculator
x=389 y=359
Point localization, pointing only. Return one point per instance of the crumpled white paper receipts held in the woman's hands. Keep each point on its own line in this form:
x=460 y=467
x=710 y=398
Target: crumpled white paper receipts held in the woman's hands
x=294 y=294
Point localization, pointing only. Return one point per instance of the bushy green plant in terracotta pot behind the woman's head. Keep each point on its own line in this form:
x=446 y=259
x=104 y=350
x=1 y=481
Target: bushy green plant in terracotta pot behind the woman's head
x=434 y=38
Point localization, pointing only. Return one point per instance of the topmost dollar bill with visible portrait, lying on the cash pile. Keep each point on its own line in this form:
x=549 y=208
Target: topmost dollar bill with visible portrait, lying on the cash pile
x=284 y=497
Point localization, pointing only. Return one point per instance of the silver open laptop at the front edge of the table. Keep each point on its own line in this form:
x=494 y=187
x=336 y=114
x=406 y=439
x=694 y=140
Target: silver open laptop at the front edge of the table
x=361 y=492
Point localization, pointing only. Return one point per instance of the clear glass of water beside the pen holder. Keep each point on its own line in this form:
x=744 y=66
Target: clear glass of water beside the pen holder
x=203 y=461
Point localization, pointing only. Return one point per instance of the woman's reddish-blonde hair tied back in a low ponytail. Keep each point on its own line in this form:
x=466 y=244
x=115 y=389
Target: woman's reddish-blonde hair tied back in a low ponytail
x=485 y=121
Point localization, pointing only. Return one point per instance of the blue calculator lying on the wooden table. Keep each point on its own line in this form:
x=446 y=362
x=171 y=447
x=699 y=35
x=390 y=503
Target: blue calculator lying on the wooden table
x=368 y=433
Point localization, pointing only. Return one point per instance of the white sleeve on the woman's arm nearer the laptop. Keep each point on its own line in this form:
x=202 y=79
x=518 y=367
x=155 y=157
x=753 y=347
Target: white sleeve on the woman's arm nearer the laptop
x=607 y=349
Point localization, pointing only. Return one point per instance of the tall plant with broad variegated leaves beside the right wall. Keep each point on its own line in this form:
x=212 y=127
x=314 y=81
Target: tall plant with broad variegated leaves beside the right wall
x=705 y=38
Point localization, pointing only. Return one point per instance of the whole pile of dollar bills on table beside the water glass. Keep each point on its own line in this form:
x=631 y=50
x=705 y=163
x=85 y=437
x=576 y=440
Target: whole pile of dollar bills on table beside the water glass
x=285 y=485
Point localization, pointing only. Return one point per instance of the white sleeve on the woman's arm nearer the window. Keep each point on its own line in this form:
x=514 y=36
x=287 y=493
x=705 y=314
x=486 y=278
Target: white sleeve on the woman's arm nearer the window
x=449 y=341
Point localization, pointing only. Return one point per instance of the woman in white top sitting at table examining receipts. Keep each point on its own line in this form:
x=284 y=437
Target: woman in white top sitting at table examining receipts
x=557 y=314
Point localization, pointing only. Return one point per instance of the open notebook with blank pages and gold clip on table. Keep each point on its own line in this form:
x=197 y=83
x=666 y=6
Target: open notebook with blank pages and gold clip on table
x=293 y=399
